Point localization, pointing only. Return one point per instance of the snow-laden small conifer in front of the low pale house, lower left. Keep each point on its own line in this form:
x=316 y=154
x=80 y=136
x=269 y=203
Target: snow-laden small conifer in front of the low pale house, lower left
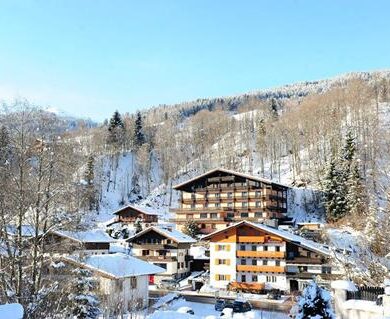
x=84 y=303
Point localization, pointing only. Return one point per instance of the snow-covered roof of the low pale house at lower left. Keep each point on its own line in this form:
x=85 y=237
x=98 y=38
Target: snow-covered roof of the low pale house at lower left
x=116 y=265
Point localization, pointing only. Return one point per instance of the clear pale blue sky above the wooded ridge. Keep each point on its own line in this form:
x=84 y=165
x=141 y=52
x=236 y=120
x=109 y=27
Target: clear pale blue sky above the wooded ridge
x=90 y=57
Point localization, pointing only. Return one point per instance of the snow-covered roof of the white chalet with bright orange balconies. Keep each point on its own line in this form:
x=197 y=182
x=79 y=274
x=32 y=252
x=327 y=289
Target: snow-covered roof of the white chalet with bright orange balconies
x=298 y=240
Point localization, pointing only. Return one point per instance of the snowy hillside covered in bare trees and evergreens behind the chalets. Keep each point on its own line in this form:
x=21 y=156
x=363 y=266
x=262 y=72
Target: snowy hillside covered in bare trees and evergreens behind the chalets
x=329 y=140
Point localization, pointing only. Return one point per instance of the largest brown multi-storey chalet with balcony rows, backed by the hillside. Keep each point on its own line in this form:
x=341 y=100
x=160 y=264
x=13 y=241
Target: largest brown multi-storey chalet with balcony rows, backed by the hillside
x=220 y=197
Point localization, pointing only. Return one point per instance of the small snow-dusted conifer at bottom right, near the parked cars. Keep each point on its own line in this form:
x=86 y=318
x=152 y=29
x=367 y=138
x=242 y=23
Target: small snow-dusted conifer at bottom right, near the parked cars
x=315 y=302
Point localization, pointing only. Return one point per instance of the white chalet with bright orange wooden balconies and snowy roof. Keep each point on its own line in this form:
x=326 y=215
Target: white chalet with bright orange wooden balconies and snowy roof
x=251 y=255
